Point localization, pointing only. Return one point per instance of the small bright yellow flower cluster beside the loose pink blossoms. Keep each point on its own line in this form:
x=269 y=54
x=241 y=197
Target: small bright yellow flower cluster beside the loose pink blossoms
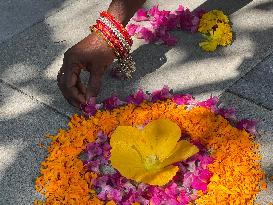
x=215 y=27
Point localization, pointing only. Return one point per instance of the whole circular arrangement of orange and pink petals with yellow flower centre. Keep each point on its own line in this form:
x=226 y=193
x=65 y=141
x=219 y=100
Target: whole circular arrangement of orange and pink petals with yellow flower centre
x=156 y=148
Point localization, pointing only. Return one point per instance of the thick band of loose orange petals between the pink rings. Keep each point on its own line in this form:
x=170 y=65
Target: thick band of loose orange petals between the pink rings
x=237 y=173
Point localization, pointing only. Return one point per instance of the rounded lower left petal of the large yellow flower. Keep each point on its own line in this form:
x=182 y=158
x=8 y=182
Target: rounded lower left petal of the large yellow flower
x=127 y=161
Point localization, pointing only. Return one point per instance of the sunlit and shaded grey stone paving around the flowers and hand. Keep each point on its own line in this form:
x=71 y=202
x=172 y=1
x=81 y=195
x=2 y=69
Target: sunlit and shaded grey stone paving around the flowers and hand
x=34 y=35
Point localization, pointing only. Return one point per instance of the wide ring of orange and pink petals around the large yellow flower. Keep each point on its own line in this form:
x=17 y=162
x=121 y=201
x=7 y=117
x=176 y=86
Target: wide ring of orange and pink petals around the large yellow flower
x=227 y=168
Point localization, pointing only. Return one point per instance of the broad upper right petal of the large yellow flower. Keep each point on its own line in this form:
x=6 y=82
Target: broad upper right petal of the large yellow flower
x=161 y=136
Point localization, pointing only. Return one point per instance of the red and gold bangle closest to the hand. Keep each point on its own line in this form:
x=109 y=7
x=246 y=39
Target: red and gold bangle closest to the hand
x=111 y=37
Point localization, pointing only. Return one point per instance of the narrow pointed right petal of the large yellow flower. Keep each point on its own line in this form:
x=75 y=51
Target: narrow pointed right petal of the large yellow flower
x=183 y=150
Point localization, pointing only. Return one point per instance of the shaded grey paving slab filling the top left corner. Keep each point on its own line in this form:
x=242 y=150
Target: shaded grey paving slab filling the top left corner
x=16 y=15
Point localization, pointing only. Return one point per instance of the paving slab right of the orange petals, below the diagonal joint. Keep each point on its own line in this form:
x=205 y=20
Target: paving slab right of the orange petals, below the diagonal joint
x=246 y=109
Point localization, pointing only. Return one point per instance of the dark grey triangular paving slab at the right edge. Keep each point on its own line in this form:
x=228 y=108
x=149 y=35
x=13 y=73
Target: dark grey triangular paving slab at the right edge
x=257 y=85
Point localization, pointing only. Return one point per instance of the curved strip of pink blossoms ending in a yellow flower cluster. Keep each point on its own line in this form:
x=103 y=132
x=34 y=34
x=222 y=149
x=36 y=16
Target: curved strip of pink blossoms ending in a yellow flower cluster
x=213 y=25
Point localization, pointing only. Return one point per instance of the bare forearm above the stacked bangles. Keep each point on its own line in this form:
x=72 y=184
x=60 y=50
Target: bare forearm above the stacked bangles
x=124 y=10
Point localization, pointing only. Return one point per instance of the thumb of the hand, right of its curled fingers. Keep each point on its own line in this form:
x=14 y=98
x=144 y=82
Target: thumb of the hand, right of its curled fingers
x=94 y=85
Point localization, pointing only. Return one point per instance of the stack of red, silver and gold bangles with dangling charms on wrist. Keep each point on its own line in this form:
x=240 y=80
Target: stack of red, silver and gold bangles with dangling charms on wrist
x=118 y=39
